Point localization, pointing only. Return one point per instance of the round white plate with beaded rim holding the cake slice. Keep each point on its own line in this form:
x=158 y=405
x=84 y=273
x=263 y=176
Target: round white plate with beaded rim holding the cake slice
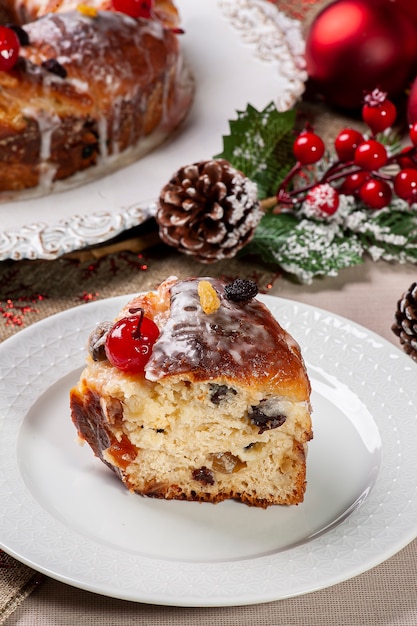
x=64 y=513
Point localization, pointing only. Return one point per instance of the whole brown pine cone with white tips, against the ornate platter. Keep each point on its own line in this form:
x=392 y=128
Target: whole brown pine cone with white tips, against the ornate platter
x=208 y=210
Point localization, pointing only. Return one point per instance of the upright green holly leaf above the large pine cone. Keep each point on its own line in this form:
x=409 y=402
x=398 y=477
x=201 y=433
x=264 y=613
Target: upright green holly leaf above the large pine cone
x=260 y=145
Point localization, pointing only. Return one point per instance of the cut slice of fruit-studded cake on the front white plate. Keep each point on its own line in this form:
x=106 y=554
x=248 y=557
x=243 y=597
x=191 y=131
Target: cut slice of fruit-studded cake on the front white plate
x=220 y=409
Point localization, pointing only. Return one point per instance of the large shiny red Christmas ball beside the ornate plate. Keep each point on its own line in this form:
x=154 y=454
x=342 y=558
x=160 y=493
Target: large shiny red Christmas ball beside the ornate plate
x=353 y=46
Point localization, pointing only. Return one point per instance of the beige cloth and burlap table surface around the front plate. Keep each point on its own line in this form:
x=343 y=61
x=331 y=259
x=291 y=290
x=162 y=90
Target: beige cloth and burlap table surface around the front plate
x=366 y=294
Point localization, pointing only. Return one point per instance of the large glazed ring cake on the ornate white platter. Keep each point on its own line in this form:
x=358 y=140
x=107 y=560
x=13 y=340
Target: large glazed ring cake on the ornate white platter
x=85 y=91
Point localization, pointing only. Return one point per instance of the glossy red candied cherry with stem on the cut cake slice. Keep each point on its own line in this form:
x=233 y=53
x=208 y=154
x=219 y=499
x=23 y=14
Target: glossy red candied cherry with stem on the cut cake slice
x=130 y=341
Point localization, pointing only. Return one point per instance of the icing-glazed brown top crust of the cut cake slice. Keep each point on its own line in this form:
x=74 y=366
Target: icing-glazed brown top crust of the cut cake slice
x=238 y=340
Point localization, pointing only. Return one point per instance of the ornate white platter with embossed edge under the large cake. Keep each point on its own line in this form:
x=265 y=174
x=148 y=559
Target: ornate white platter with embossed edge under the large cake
x=241 y=52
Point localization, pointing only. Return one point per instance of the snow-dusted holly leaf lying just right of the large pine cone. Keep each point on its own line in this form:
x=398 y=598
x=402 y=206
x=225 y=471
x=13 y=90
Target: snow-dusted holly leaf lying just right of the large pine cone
x=305 y=248
